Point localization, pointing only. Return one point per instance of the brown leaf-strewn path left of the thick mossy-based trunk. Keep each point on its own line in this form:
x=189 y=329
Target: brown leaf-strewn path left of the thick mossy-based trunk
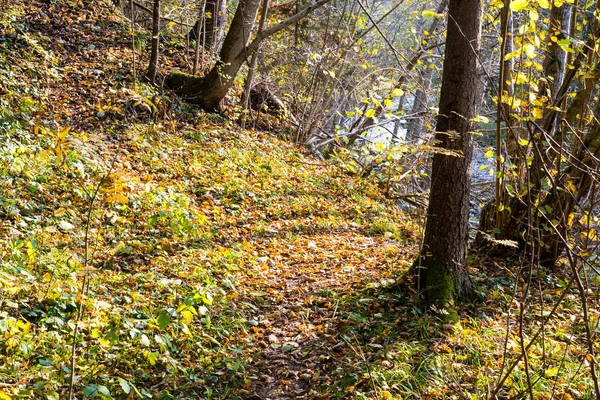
x=312 y=302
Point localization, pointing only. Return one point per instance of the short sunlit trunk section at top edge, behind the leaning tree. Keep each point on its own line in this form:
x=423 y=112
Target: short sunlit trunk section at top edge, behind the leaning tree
x=212 y=29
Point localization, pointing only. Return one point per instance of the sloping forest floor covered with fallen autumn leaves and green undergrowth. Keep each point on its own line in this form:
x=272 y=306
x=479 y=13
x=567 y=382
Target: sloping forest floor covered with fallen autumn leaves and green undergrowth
x=187 y=258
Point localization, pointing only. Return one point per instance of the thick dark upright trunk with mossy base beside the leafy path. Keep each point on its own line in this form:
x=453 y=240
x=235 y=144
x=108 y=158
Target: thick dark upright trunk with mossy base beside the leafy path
x=440 y=273
